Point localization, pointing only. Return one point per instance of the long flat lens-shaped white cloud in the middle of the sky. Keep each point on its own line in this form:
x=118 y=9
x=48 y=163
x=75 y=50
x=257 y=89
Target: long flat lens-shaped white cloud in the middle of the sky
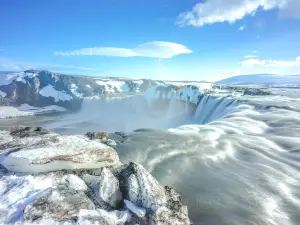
x=157 y=49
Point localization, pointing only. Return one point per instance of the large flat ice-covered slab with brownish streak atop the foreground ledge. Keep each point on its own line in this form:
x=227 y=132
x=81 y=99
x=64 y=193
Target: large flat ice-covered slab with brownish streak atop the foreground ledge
x=54 y=152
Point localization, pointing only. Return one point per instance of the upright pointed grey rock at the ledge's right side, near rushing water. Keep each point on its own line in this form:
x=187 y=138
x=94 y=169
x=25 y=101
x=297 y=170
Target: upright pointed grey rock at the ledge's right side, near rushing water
x=140 y=187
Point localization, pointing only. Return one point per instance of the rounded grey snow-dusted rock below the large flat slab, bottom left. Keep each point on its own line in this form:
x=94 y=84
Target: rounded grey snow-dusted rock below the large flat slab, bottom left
x=59 y=204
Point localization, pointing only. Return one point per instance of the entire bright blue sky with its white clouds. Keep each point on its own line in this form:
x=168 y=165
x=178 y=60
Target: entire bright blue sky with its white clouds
x=157 y=39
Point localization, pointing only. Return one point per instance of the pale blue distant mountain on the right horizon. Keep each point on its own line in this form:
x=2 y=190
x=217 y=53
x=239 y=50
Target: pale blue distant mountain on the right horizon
x=262 y=79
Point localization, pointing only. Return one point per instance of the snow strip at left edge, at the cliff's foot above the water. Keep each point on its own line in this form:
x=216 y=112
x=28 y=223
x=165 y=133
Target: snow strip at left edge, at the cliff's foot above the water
x=27 y=110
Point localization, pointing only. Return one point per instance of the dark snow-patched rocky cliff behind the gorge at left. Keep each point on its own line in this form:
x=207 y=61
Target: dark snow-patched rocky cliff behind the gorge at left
x=44 y=88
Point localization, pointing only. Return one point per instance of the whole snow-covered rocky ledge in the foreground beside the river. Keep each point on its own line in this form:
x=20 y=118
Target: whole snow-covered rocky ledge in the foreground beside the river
x=47 y=178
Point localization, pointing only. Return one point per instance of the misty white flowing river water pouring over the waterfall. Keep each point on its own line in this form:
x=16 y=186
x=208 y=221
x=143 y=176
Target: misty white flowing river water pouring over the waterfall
x=234 y=161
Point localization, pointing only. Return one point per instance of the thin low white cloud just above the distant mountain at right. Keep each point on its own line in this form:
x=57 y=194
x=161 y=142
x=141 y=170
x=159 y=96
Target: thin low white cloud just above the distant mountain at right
x=269 y=63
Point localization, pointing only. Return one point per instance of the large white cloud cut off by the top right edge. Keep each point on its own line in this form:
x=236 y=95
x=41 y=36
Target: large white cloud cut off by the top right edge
x=218 y=11
